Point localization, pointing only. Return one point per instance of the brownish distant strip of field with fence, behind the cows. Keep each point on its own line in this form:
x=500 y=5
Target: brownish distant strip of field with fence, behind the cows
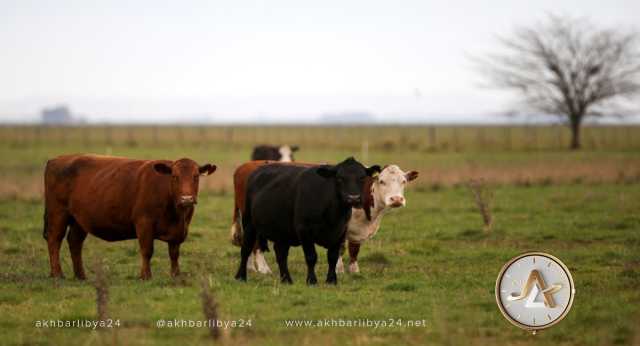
x=445 y=156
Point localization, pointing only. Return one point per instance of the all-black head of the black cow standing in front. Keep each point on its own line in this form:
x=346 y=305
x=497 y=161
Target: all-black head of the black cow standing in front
x=349 y=177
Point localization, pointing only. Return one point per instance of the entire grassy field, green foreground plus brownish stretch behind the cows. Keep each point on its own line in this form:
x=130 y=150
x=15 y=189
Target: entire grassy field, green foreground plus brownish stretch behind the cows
x=430 y=261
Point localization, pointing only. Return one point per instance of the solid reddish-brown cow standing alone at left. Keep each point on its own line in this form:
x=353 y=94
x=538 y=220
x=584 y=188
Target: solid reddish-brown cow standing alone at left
x=115 y=199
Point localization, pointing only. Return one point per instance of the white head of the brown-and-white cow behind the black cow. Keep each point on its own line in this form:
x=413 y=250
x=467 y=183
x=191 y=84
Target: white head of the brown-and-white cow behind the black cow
x=388 y=187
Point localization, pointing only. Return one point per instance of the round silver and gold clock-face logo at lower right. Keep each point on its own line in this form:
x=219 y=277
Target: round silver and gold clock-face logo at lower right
x=534 y=290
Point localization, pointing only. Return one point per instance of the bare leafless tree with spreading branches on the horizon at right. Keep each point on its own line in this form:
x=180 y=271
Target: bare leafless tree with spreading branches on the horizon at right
x=567 y=67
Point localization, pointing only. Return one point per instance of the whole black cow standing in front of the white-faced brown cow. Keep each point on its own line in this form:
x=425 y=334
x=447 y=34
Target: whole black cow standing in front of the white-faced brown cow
x=294 y=205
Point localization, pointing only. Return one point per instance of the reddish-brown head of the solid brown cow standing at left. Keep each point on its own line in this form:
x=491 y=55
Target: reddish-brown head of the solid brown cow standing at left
x=185 y=175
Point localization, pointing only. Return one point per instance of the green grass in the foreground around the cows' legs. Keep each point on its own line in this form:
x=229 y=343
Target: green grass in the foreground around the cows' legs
x=430 y=261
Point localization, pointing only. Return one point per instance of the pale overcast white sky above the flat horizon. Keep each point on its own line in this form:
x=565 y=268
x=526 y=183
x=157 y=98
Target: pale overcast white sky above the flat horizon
x=277 y=60
